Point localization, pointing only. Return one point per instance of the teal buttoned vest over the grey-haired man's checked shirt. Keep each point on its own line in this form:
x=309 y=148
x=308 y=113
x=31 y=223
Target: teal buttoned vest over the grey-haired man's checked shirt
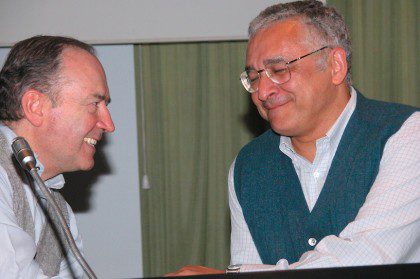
x=271 y=197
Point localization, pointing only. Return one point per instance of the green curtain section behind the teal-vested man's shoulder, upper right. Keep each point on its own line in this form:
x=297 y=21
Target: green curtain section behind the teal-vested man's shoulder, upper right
x=385 y=37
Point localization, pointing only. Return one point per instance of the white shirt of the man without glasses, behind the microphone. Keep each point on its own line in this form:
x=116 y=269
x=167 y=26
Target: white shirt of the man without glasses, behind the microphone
x=18 y=248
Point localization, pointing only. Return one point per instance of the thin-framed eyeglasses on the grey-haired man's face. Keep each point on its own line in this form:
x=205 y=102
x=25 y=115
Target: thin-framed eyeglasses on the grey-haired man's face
x=276 y=71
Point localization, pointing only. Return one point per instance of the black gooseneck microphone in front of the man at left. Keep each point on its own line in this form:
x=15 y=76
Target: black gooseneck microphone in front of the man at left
x=26 y=158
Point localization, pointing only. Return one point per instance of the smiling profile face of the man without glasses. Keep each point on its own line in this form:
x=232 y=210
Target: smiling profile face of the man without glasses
x=81 y=116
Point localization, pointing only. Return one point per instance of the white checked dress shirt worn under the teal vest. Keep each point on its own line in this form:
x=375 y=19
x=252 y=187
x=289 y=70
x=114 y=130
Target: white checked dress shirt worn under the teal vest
x=386 y=229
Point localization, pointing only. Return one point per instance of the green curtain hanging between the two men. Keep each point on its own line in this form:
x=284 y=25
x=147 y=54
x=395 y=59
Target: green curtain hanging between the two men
x=196 y=116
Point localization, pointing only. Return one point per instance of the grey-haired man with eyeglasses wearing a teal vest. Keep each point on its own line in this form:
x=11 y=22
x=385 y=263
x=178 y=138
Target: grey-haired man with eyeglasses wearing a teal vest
x=335 y=181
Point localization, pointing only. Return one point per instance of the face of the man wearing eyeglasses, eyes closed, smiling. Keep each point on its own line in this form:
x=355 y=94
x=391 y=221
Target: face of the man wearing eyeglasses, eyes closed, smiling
x=298 y=105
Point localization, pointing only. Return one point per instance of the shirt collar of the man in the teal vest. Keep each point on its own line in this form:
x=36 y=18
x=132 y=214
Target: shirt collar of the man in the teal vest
x=336 y=131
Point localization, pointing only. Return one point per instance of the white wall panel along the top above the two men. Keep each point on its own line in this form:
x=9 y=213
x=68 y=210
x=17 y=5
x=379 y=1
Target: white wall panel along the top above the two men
x=128 y=21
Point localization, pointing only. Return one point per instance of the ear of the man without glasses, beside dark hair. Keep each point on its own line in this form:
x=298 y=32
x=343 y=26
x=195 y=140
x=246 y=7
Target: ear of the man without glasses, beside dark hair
x=34 y=104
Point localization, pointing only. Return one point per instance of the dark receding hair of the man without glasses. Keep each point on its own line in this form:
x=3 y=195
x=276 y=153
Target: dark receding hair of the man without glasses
x=33 y=63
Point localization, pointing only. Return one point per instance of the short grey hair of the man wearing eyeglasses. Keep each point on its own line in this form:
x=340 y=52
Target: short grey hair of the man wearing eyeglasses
x=329 y=25
